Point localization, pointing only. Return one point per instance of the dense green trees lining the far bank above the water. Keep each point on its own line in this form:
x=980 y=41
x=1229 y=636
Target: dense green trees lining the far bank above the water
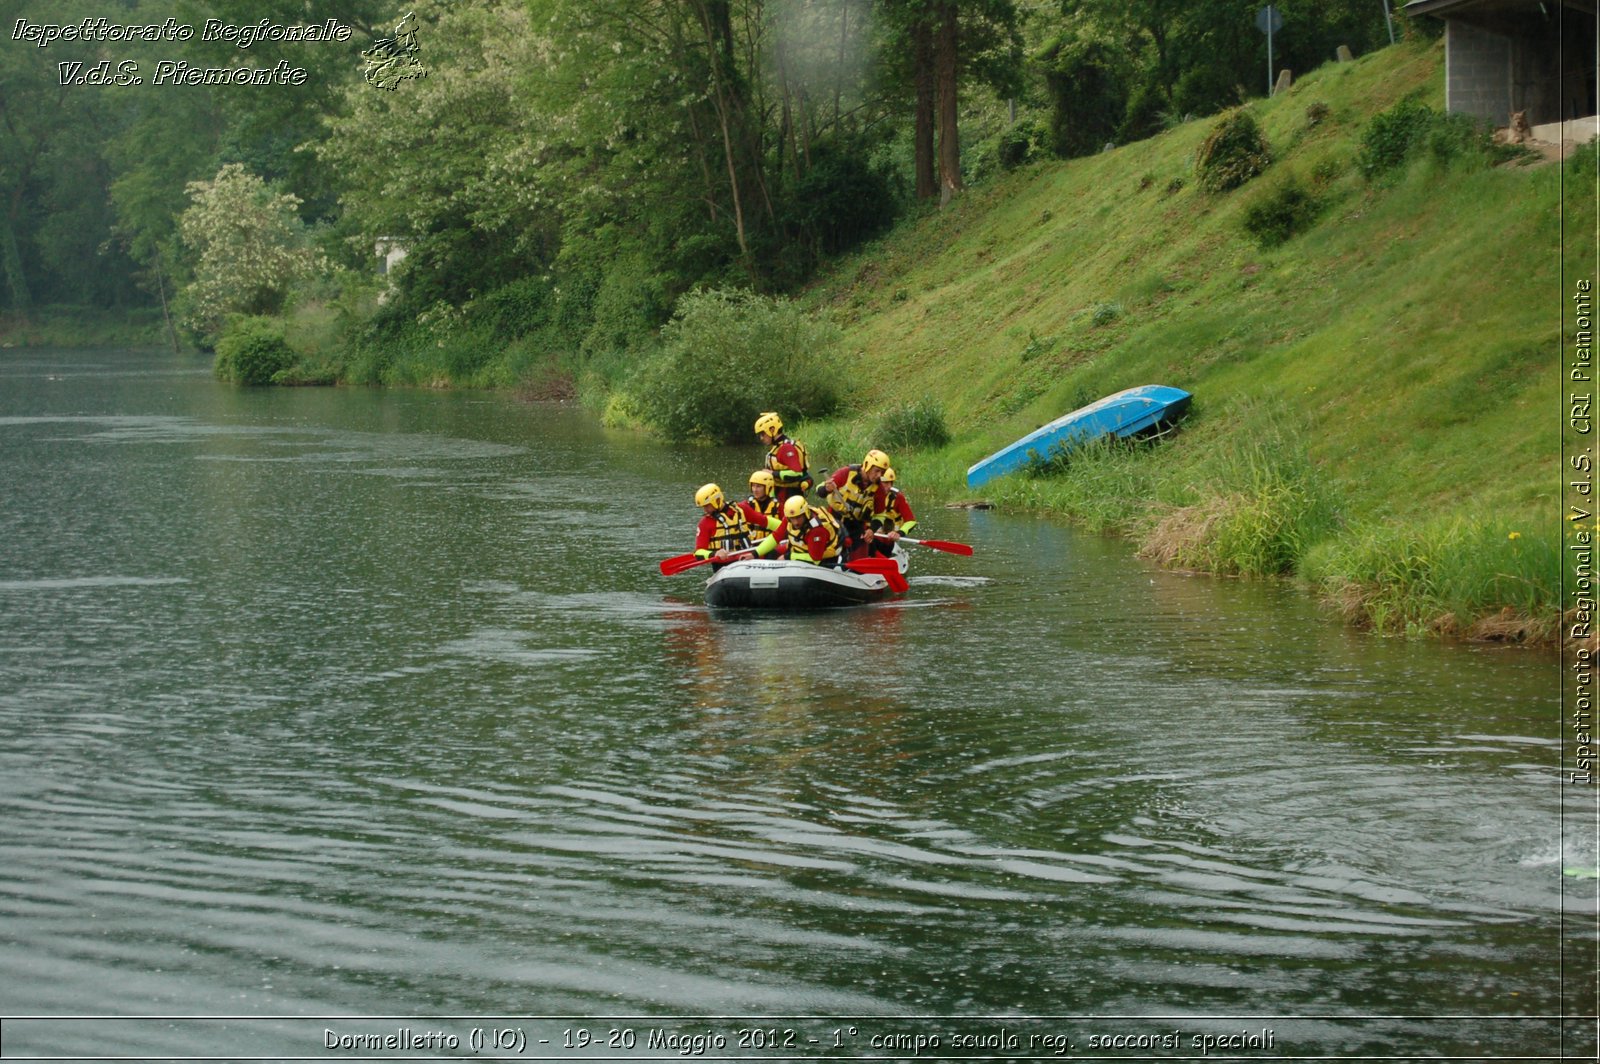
x=562 y=172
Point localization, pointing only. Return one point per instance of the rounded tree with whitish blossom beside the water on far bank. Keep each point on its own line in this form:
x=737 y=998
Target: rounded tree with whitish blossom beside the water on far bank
x=247 y=249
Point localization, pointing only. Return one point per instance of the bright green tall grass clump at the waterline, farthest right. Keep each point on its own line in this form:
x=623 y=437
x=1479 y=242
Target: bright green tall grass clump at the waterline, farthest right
x=1478 y=577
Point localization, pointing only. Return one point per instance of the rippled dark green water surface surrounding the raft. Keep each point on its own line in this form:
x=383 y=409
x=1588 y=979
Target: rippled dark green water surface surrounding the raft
x=346 y=716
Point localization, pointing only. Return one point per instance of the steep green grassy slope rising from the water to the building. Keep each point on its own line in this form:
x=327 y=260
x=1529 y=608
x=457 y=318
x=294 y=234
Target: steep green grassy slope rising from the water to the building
x=1377 y=399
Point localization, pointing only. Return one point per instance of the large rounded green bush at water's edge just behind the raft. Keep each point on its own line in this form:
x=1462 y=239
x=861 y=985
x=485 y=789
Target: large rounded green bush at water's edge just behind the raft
x=730 y=354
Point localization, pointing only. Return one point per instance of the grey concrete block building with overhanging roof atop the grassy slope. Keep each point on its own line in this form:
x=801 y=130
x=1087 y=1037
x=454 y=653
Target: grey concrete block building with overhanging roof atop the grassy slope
x=1532 y=57
